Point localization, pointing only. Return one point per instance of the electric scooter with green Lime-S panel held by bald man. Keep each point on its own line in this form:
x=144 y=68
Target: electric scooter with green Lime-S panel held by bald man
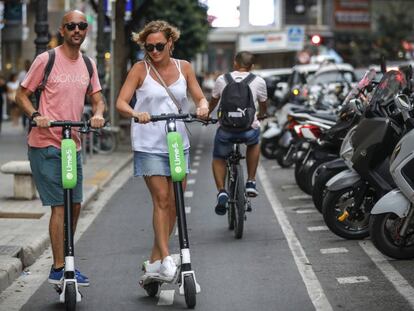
x=68 y=290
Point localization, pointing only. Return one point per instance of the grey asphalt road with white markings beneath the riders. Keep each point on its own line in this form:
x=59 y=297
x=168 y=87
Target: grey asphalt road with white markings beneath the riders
x=287 y=259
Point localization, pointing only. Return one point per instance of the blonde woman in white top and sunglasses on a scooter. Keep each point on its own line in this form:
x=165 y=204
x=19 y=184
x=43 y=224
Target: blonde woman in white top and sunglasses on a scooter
x=149 y=139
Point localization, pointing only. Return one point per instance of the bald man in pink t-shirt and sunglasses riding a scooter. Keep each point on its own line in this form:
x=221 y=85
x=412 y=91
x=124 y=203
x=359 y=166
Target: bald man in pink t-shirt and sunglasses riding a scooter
x=62 y=99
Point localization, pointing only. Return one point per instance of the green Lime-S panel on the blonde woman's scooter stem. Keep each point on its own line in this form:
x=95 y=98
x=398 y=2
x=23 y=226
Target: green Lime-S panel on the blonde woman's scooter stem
x=176 y=154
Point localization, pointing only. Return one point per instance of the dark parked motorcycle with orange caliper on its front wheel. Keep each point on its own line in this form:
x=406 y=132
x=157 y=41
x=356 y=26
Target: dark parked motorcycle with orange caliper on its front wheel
x=352 y=193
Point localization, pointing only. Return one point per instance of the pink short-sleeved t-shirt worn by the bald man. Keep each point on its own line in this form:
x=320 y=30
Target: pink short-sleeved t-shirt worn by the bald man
x=63 y=97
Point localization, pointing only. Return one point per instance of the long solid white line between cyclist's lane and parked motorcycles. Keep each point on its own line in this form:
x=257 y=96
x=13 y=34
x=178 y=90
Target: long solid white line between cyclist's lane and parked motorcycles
x=312 y=284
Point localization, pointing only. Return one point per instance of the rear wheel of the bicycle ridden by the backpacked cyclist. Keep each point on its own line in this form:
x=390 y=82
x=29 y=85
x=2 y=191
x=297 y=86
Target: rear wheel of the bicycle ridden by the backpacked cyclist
x=240 y=202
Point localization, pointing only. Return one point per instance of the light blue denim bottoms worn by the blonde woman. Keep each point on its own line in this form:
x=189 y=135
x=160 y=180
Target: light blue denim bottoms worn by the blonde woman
x=155 y=164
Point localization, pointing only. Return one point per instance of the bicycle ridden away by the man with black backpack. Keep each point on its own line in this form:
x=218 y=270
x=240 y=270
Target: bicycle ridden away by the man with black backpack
x=238 y=202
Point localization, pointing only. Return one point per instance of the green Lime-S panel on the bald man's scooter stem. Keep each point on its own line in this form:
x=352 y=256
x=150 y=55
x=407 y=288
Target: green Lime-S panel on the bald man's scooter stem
x=69 y=165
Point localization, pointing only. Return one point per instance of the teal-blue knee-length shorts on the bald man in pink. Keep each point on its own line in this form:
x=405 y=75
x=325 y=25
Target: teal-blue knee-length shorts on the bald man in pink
x=47 y=174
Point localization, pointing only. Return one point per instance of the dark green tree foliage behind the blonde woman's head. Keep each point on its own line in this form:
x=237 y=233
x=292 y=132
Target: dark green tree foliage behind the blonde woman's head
x=188 y=16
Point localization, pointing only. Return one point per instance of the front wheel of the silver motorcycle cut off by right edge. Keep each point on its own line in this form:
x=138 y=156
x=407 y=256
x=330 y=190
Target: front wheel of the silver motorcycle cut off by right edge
x=385 y=229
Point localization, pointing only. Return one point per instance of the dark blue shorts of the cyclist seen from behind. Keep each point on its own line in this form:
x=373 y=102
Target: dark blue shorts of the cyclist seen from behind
x=223 y=142
